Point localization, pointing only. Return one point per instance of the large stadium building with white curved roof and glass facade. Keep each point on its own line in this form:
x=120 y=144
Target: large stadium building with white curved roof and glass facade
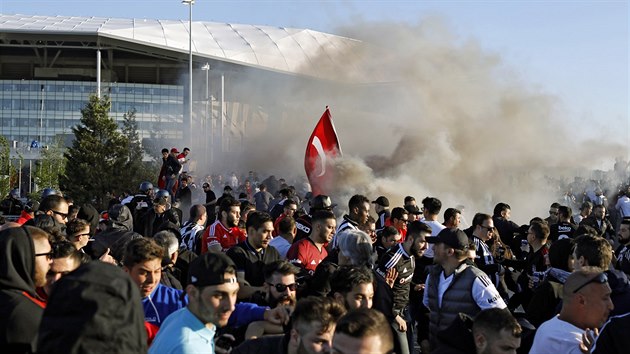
x=49 y=65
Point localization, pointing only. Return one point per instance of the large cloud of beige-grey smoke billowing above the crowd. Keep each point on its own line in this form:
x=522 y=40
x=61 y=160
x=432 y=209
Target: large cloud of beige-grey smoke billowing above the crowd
x=422 y=113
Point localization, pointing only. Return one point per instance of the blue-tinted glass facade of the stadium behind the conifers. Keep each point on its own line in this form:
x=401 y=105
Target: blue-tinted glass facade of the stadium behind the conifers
x=41 y=109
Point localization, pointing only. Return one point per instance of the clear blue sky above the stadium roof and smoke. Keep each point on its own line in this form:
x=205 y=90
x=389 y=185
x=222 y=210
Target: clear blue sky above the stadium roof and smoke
x=576 y=50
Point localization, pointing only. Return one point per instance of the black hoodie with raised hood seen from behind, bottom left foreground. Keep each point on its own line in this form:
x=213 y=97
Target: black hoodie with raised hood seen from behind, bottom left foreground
x=94 y=309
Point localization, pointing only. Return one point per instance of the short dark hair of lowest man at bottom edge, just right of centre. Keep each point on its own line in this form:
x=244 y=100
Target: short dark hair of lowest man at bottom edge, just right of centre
x=362 y=323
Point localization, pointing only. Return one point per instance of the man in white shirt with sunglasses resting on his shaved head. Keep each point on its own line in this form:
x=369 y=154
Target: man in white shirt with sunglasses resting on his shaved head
x=585 y=307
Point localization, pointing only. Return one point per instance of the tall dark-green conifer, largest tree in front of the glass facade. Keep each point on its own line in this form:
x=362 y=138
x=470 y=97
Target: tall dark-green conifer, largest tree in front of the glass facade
x=98 y=156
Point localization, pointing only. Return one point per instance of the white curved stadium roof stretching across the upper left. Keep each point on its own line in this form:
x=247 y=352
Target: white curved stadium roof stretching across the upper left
x=289 y=50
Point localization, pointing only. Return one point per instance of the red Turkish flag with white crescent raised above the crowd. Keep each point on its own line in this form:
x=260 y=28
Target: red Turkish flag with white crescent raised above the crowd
x=322 y=146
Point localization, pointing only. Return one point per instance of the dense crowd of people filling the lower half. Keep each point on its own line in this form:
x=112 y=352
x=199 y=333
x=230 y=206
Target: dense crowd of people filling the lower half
x=266 y=267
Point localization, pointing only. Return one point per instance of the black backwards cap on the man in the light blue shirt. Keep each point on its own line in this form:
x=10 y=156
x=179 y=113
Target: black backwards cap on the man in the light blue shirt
x=210 y=268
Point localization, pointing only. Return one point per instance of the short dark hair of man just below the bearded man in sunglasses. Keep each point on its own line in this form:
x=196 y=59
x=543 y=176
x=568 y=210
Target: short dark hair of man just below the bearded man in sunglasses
x=323 y=310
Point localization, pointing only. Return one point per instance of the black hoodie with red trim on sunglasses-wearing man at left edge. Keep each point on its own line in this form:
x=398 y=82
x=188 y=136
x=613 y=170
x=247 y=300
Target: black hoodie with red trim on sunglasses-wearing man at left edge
x=20 y=307
